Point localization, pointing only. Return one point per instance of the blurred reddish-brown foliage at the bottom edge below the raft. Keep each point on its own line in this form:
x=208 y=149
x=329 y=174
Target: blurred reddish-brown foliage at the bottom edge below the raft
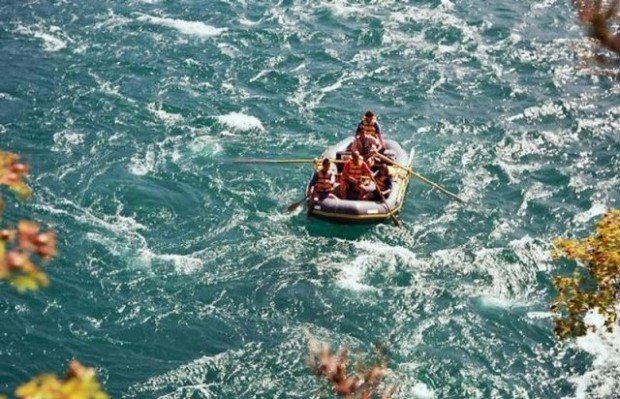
x=333 y=367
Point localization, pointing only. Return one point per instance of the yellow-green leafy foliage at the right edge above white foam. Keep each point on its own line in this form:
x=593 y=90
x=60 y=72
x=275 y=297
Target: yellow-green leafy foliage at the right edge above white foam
x=598 y=290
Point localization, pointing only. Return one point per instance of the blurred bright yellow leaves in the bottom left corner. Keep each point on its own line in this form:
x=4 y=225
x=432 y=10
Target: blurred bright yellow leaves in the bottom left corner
x=79 y=383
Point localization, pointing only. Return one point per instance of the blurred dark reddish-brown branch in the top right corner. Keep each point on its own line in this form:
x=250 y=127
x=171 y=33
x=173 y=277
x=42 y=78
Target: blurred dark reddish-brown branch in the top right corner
x=597 y=19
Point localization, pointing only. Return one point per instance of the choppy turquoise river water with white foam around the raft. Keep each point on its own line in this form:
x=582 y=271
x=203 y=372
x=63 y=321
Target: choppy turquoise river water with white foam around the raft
x=180 y=276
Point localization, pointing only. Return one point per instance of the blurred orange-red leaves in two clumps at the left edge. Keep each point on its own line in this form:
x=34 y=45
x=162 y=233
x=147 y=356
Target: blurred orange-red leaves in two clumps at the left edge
x=20 y=246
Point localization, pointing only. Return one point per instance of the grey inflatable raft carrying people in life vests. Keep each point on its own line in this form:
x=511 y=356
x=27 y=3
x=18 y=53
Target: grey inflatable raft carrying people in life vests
x=345 y=210
